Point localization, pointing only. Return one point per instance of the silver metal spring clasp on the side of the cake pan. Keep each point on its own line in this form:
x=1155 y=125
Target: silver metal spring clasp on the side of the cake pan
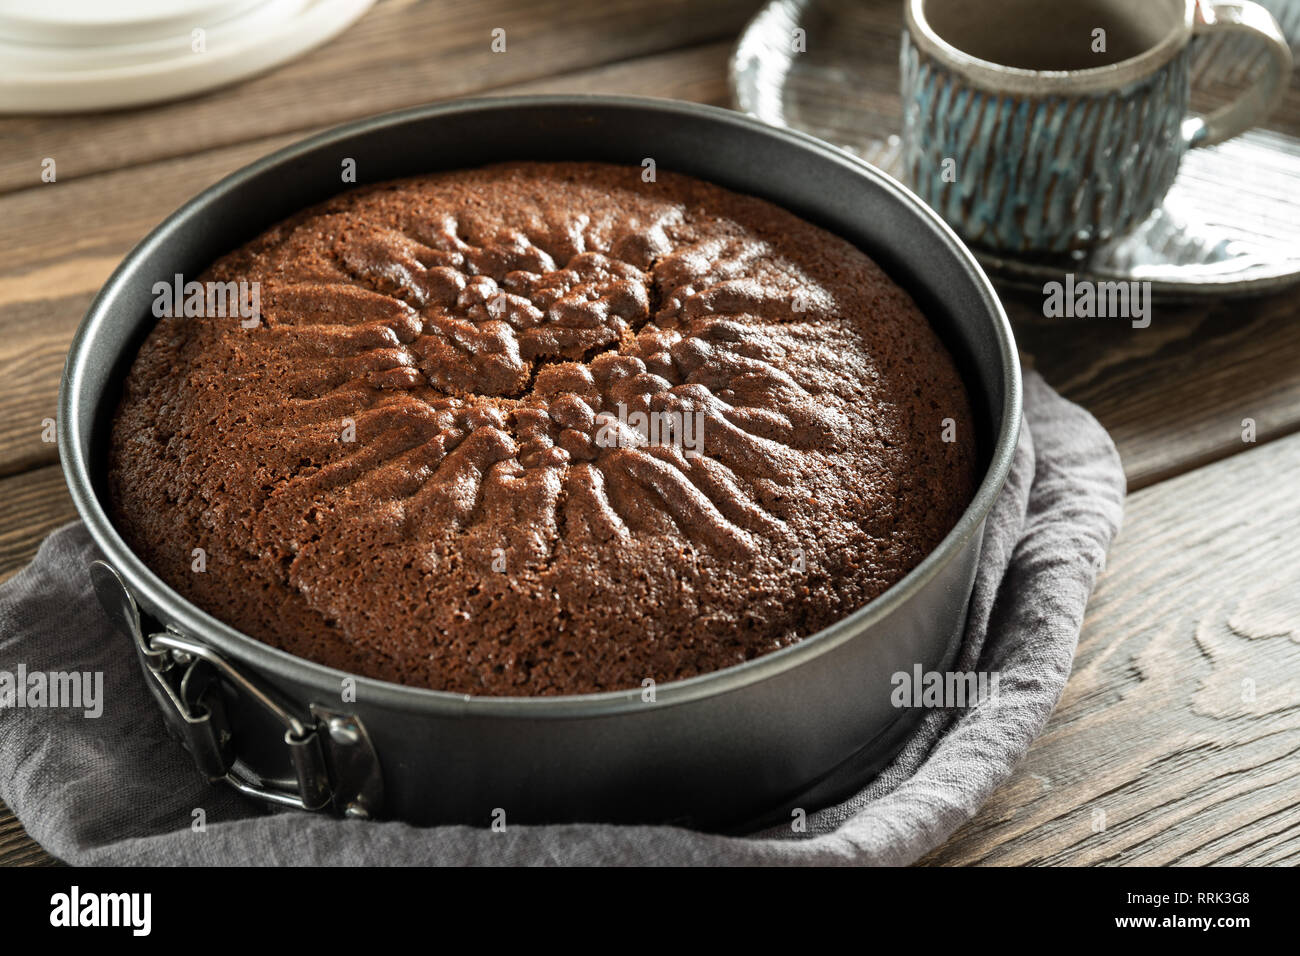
x=335 y=763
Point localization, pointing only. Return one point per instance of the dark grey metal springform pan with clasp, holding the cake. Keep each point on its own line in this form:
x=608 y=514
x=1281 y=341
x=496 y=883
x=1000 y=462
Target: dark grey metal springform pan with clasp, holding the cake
x=795 y=729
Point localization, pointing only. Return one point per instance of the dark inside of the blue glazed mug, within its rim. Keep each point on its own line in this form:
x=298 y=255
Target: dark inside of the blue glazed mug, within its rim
x=1054 y=34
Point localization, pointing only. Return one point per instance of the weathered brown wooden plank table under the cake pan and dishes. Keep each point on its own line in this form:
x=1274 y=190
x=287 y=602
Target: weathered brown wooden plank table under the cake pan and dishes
x=1203 y=586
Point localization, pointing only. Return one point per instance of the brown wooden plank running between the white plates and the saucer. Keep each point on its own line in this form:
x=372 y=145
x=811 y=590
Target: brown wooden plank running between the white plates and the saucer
x=401 y=54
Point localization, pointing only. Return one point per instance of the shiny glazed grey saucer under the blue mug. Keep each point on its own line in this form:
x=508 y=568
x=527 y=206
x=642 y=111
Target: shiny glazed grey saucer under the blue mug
x=1230 y=224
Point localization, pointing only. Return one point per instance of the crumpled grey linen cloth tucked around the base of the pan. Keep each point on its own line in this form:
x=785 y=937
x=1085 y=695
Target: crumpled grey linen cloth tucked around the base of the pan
x=118 y=790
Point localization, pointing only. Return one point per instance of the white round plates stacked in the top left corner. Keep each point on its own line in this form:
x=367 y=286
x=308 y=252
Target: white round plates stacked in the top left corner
x=84 y=55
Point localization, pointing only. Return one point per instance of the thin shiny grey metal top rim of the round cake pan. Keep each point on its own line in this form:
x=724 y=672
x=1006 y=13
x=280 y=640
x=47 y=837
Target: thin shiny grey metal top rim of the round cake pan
x=150 y=591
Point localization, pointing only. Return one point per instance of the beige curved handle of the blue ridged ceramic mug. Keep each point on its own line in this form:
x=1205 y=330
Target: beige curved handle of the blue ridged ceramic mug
x=1264 y=94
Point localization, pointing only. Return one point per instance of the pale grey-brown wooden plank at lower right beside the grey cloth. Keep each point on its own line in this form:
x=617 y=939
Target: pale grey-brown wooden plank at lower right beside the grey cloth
x=1178 y=736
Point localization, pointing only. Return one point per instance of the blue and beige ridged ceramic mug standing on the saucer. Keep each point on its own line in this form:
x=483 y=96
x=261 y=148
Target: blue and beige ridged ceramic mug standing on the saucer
x=1048 y=127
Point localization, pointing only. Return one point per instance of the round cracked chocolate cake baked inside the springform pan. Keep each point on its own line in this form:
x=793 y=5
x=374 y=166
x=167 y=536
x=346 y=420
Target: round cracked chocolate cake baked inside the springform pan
x=541 y=430
